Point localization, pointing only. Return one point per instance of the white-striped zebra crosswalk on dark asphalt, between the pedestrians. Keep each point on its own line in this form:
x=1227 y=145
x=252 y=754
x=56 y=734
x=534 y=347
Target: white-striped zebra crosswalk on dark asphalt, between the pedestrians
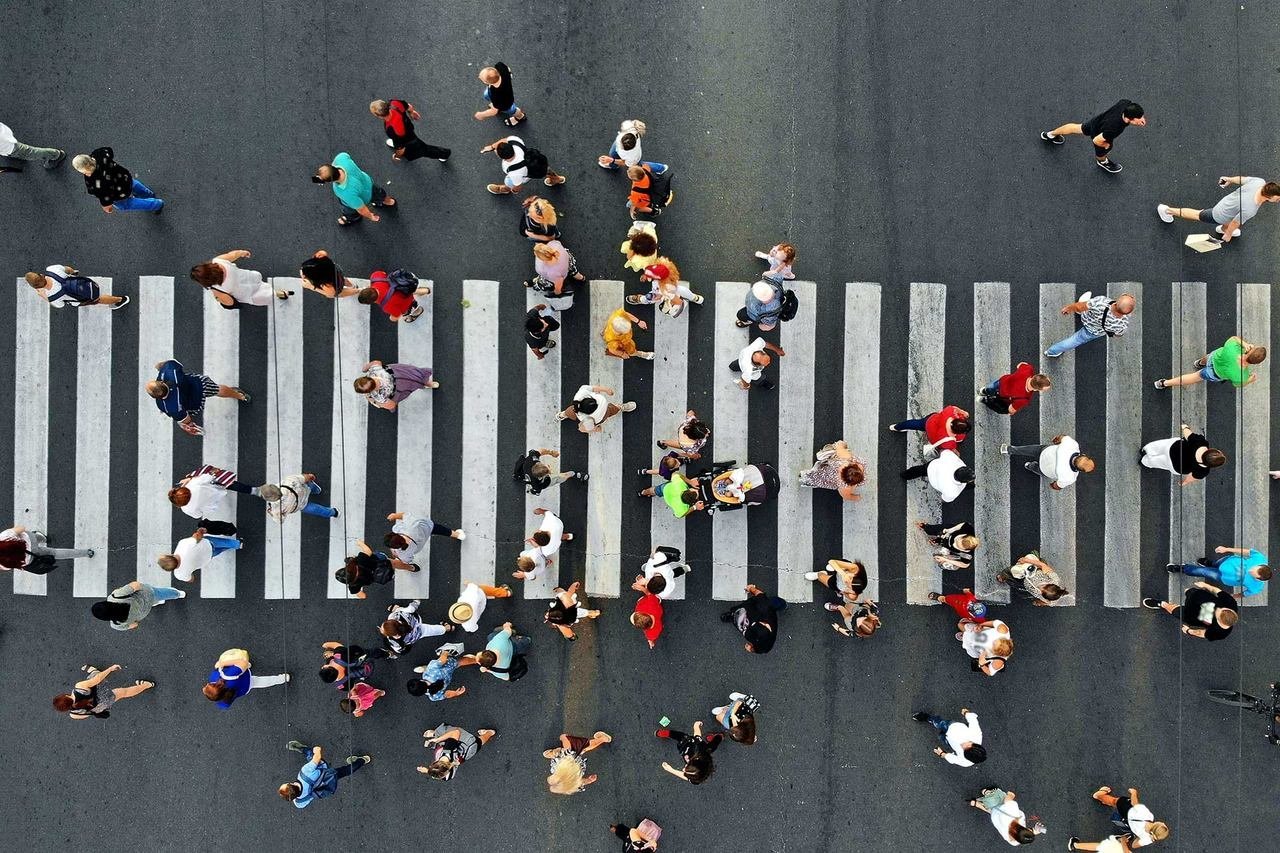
x=545 y=387
